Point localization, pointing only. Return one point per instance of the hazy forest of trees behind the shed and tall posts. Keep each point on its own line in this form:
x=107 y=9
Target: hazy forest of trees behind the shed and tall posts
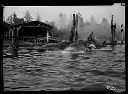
x=62 y=27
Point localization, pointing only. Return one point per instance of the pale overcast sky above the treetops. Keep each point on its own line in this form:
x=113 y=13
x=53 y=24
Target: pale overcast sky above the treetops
x=50 y=13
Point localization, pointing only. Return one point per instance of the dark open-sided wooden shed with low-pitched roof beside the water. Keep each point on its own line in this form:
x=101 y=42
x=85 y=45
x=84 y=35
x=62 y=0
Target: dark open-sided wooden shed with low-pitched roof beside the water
x=31 y=31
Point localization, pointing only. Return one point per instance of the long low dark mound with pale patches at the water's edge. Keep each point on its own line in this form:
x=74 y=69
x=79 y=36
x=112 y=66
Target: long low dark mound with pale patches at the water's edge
x=69 y=47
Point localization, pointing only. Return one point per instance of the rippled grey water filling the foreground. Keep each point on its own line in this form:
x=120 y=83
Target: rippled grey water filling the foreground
x=57 y=71
